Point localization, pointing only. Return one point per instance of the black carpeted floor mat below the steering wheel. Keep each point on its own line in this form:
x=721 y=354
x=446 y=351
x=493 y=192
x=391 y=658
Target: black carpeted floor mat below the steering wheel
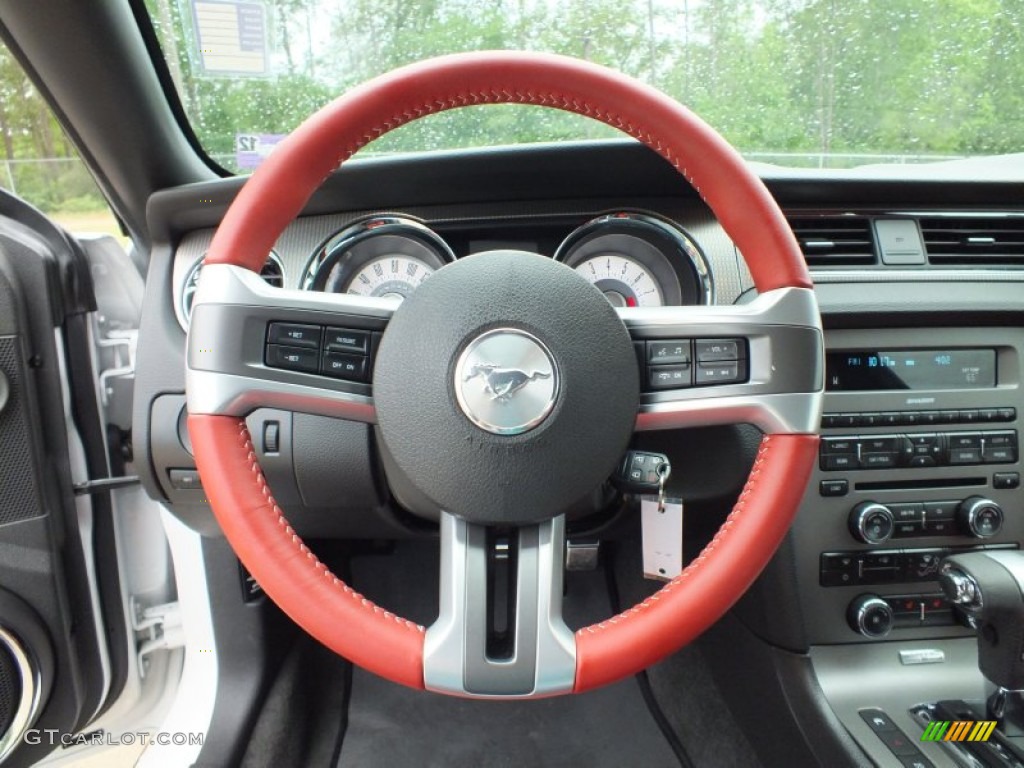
x=390 y=726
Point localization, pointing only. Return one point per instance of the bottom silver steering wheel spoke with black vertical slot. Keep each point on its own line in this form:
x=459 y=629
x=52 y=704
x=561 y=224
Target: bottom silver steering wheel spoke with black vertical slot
x=538 y=658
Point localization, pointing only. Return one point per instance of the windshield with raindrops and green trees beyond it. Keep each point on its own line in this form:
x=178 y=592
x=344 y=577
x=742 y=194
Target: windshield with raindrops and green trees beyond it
x=810 y=83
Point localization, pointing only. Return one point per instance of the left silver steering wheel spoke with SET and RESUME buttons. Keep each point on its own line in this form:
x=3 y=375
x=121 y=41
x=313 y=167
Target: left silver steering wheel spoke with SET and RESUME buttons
x=235 y=365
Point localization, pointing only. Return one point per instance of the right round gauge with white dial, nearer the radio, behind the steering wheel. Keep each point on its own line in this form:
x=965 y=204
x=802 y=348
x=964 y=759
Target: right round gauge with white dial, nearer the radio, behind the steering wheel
x=638 y=262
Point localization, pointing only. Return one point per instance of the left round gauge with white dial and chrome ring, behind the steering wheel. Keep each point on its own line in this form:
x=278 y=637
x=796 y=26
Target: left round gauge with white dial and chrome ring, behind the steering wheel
x=379 y=257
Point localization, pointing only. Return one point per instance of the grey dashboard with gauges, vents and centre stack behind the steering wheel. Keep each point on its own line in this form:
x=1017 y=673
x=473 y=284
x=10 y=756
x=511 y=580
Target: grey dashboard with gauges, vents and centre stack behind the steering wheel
x=923 y=410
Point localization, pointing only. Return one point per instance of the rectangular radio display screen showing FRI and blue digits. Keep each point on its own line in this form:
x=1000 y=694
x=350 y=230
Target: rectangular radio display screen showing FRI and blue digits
x=870 y=370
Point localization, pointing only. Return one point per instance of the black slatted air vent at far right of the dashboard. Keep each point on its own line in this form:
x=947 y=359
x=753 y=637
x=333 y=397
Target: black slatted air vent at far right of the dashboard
x=974 y=240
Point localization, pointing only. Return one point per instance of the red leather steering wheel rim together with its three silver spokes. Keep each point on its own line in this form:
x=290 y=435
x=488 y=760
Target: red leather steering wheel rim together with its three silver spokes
x=227 y=379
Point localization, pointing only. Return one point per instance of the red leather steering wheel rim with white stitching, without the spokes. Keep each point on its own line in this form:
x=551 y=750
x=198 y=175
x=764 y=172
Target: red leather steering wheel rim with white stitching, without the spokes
x=323 y=605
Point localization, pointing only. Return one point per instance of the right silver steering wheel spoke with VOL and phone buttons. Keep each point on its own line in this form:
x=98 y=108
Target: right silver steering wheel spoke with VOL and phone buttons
x=777 y=385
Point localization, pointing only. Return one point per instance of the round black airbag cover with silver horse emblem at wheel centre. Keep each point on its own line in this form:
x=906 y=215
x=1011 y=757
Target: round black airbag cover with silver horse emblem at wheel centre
x=488 y=478
